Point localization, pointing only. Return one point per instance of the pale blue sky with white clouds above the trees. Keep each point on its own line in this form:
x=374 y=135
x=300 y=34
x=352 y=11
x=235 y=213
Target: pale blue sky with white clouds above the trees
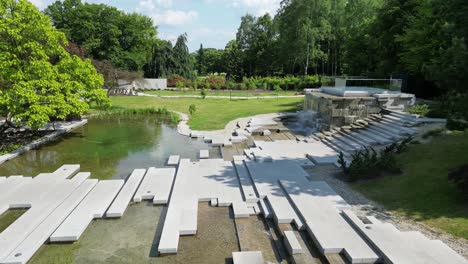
x=210 y=22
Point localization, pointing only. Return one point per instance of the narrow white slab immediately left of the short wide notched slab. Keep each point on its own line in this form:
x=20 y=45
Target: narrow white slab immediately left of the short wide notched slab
x=119 y=205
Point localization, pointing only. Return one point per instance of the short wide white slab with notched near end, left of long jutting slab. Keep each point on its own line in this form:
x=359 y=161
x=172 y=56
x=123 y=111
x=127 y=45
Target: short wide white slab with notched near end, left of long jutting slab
x=156 y=185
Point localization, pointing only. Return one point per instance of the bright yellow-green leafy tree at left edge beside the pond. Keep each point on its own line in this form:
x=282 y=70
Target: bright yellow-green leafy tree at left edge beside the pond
x=40 y=80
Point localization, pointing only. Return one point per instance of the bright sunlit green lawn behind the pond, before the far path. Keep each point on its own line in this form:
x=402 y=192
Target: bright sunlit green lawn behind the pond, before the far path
x=211 y=114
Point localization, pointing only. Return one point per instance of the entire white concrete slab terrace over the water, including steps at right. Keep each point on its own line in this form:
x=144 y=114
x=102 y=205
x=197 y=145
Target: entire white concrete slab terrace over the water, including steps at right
x=269 y=181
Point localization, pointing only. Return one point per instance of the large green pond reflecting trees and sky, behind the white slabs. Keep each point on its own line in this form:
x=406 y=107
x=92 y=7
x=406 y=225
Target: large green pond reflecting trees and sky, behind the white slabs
x=109 y=148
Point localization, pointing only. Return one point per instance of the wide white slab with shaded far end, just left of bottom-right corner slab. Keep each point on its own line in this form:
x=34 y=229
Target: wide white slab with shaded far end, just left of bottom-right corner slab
x=321 y=208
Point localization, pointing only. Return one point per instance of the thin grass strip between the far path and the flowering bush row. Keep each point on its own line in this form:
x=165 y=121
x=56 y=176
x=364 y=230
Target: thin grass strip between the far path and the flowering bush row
x=222 y=93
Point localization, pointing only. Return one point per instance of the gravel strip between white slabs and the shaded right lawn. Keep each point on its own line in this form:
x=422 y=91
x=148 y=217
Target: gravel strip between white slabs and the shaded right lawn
x=363 y=206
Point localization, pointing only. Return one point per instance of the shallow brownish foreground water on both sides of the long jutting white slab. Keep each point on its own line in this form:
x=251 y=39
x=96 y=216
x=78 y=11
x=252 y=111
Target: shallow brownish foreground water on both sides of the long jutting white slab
x=133 y=239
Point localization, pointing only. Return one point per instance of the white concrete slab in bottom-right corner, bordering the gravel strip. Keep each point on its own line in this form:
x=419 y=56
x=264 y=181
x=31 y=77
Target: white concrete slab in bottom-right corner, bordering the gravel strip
x=403 y=247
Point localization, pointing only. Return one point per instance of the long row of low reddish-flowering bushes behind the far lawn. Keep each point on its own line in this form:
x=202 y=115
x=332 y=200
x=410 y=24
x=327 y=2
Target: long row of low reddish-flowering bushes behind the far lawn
x=253 y=83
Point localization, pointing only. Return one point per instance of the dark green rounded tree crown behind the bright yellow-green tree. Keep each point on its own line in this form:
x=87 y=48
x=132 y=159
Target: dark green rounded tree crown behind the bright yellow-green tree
x=105 y=32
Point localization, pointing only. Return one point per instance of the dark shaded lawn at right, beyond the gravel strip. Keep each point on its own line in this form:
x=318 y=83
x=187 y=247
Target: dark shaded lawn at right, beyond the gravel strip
x=423 y=192
